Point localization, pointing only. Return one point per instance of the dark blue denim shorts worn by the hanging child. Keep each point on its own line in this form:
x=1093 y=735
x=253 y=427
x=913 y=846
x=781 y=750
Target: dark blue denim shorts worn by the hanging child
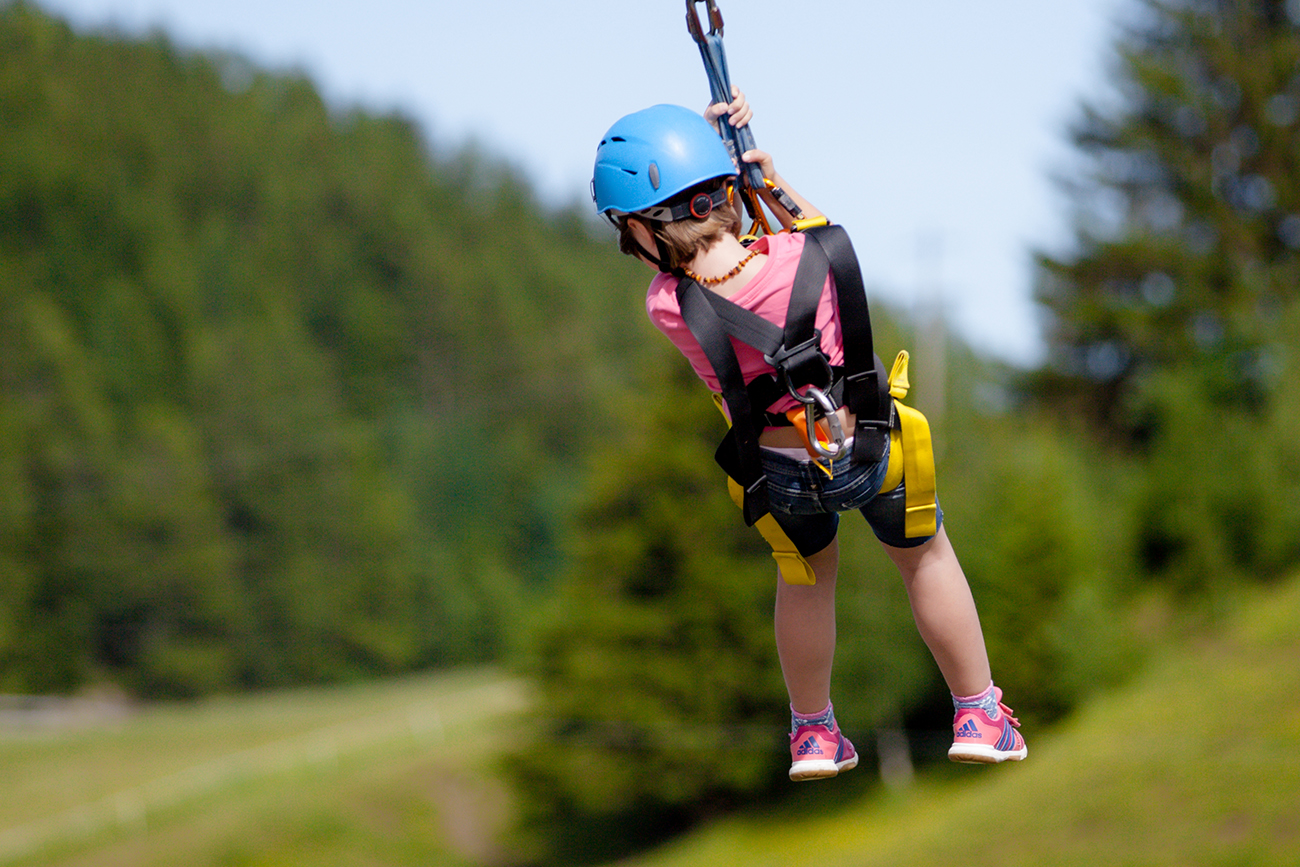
x=807 y=504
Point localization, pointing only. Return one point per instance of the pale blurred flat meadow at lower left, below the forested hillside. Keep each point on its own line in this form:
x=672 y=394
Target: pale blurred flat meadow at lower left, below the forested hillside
x=362 y=775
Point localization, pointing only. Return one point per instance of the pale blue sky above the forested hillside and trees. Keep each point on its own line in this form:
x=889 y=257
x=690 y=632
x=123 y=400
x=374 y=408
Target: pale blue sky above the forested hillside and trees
x=930 y=131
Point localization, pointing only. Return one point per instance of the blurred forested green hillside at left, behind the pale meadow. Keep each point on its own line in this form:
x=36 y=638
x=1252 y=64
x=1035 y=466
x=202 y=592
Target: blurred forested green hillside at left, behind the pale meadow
x=258 y=358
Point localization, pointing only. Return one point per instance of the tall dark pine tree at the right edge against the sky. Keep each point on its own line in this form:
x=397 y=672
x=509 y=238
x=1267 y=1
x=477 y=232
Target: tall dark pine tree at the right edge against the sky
x=1173 y=318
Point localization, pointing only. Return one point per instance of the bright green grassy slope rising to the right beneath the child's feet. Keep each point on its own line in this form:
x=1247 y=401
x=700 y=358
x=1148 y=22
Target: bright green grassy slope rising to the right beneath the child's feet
x=1197 y=762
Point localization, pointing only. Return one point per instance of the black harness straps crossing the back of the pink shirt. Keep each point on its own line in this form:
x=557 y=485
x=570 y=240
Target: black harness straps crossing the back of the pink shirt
x=801 y=370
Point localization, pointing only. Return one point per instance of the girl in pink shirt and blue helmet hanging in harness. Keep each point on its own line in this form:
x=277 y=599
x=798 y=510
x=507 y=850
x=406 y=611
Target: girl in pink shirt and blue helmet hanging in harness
x=666 y=180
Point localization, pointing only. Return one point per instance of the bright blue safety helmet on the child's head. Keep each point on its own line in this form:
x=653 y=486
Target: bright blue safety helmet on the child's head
x=652 y=155
